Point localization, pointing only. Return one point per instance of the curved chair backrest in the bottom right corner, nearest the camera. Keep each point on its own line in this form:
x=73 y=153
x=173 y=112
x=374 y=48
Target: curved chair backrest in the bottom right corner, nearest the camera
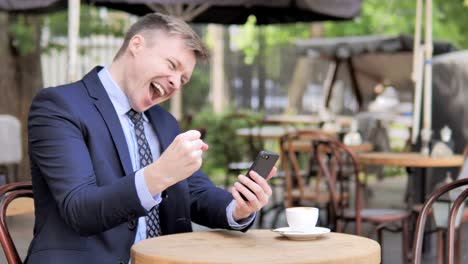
x=425 y=211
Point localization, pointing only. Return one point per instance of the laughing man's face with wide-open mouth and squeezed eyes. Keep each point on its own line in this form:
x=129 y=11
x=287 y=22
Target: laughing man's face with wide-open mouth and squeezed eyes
x=159 y=65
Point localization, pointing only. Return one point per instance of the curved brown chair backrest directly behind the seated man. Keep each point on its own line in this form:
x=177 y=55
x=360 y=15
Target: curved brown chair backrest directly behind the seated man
x=8 y=193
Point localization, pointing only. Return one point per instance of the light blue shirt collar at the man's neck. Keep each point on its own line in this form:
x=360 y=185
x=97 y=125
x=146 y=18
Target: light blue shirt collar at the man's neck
x=118 y=98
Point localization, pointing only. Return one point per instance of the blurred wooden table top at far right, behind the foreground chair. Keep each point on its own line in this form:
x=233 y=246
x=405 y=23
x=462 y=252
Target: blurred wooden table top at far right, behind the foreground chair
x=409 y=159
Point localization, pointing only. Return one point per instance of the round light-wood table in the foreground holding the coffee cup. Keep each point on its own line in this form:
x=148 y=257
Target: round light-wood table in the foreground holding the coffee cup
x=255 y=246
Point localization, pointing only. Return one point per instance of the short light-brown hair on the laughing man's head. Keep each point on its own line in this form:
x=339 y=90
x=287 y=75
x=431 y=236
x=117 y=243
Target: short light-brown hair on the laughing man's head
x=169 y=24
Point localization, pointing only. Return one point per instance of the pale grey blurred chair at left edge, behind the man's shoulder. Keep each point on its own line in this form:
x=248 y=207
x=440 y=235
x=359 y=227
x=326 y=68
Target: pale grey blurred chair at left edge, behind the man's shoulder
x=10 y=143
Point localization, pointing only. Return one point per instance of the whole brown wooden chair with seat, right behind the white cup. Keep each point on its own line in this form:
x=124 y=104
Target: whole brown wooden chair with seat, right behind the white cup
x=339 y=165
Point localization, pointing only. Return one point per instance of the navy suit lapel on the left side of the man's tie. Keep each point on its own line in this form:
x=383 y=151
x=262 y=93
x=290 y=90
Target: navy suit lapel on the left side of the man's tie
x=107 y=111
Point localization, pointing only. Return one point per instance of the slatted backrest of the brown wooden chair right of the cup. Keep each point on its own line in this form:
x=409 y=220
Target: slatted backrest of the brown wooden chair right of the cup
x=340 y=167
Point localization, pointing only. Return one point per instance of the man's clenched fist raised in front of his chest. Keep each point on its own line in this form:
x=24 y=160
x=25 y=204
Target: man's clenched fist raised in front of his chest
x=180 y=160
